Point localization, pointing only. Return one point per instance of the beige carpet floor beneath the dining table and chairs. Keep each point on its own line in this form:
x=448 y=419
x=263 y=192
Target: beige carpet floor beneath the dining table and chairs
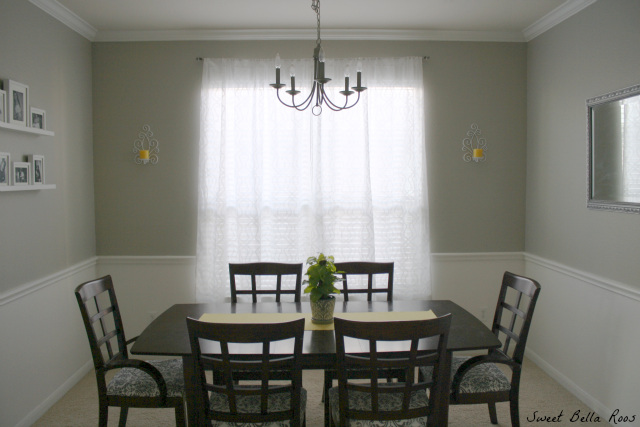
x=538 y=393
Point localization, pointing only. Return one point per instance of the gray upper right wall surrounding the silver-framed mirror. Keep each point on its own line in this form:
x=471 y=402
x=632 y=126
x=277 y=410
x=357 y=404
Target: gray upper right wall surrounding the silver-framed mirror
x=590 y=54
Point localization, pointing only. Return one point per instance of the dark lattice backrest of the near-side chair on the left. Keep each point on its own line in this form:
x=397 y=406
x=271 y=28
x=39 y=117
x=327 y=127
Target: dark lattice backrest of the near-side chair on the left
x=203 y=334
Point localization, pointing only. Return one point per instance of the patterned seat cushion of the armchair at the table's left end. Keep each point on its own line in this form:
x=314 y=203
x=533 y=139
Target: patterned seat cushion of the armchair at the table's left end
x=135 y=382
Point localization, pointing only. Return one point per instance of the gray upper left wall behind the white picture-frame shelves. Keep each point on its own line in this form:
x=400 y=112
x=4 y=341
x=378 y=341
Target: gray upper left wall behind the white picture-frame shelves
x=44 y=232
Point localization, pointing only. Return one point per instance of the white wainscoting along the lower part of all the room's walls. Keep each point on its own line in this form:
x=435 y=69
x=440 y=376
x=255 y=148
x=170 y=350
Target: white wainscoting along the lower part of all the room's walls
x=584 y=333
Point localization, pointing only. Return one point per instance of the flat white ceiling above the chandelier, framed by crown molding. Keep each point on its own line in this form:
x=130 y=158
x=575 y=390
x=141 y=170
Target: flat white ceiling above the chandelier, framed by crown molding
x=493 y=20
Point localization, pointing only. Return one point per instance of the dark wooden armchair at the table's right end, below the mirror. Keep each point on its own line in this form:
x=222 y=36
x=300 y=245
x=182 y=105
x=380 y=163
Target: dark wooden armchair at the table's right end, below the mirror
x=479 y=379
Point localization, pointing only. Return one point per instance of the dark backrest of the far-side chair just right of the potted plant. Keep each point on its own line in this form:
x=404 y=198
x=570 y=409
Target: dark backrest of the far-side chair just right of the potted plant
x=368 y=269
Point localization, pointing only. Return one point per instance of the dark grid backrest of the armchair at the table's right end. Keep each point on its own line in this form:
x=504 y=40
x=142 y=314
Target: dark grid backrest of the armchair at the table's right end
x=522 y=286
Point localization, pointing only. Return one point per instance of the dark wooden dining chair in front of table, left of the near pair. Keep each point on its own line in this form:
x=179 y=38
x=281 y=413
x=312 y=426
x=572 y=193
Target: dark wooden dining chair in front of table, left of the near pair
x=268 y=404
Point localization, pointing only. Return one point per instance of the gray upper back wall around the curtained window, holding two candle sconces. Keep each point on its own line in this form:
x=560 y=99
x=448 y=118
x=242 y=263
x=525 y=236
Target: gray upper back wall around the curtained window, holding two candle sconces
x=151 y=210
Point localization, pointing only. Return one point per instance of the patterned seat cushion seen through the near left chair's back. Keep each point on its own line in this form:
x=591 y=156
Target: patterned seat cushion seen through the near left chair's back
x=251 y=404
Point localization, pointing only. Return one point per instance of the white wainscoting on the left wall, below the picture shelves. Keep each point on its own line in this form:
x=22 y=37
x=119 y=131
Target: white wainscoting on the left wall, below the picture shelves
x=43 y=344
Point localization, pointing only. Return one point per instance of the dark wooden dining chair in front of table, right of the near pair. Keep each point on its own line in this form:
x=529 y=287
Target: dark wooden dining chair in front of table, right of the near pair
x=389 y=404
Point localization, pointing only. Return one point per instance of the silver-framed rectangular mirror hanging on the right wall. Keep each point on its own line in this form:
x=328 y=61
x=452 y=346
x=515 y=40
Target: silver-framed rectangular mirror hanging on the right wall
x=614 y=151
